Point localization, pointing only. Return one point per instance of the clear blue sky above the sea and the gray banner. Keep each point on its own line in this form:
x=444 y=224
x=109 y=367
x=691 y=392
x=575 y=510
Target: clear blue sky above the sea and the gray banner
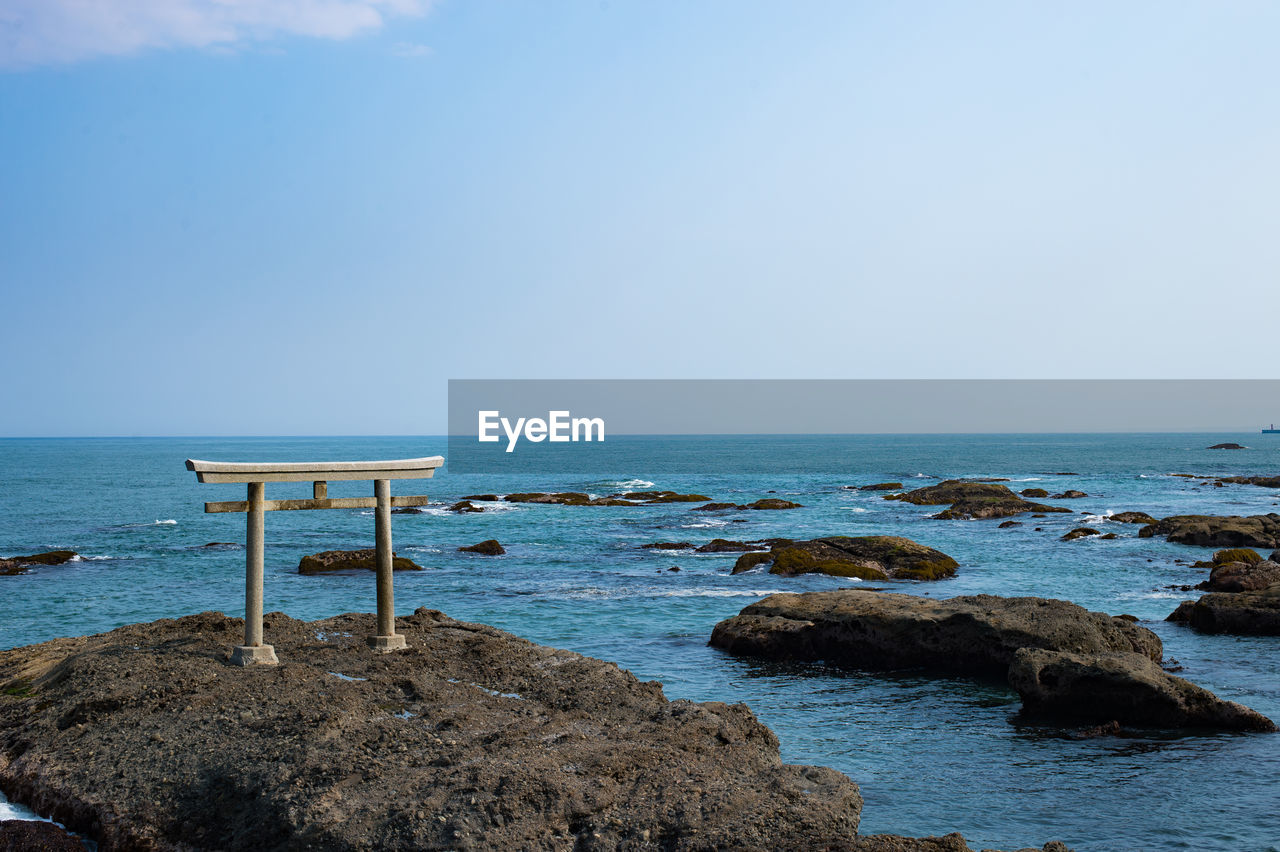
x=243 y=221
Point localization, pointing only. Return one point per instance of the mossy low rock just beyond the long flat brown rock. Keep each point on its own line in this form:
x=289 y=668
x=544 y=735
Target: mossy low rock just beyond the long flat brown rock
x=866 y=557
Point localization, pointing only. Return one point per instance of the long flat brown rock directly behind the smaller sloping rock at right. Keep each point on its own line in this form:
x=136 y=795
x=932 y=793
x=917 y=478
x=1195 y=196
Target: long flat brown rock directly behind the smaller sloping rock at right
x=976 y=635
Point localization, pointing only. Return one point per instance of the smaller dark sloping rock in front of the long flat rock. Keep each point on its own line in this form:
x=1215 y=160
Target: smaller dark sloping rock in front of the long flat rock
x=1128 y=689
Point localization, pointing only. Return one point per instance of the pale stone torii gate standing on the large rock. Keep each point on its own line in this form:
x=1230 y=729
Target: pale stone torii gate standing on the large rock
x=319 y=474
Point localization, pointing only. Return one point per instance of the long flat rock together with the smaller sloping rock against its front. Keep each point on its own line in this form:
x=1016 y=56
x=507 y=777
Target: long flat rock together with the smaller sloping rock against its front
x=1072 y=651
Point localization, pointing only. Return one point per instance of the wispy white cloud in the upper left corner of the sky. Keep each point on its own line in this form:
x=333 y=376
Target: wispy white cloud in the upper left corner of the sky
x=43 y=33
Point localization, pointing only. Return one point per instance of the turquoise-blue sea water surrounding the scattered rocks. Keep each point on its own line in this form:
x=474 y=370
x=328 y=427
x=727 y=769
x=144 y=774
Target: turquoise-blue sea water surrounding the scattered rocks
x=931 y=755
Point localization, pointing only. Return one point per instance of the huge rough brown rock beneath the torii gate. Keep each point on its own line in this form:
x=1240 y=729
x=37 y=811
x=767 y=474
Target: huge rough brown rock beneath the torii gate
x=470 y=739
